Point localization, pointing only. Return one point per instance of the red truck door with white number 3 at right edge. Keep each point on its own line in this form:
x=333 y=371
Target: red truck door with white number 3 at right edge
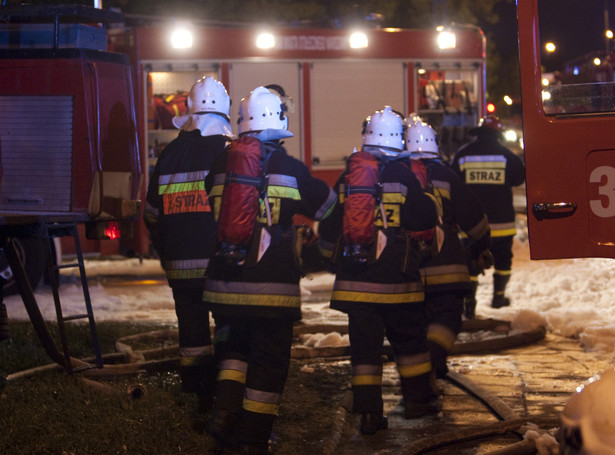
x=569 y=141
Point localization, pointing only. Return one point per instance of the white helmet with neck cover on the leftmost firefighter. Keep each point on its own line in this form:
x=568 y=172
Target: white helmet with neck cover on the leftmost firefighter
x=207 y=96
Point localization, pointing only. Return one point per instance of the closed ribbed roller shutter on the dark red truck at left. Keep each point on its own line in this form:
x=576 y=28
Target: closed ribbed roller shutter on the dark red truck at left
x=36 y=142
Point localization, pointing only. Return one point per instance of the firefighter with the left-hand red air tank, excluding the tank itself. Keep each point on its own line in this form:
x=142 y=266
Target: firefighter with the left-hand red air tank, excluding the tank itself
x=256 y=305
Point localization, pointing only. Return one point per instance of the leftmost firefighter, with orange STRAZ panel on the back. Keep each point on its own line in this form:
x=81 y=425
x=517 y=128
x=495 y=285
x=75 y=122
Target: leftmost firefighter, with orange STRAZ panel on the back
x=181 y=224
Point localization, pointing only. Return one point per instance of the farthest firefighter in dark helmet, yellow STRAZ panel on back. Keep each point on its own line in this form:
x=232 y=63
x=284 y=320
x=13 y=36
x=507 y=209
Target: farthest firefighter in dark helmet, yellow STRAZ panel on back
x=491 y=171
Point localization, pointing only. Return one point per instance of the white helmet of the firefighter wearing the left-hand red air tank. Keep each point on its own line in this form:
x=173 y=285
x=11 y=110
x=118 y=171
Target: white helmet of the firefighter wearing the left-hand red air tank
x=263 y=111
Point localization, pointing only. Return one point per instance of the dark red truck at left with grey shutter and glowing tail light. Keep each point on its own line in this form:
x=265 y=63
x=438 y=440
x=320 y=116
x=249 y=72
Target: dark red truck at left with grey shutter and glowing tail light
x=69 y=149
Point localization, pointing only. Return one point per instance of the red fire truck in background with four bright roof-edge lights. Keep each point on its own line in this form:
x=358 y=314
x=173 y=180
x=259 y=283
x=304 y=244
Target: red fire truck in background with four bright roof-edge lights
x=335 y=79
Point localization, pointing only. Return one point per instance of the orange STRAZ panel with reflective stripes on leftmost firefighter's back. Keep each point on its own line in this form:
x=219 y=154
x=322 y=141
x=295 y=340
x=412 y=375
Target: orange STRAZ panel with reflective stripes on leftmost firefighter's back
x=184 y=193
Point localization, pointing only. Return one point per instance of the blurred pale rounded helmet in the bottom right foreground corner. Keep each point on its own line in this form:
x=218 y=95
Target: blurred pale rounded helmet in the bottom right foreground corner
x=588 y=419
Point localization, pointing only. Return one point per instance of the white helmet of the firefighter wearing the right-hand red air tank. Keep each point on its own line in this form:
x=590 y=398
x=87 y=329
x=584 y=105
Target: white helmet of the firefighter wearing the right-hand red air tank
x=384 y=129
